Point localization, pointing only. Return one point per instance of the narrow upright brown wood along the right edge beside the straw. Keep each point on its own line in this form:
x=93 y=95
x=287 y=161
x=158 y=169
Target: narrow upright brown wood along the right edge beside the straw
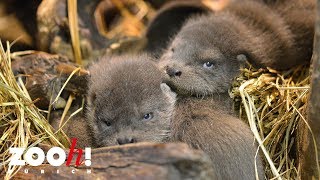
x=307 y=158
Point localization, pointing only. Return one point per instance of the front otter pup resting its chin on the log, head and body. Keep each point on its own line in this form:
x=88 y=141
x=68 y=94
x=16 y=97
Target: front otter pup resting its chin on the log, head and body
x=128 y=103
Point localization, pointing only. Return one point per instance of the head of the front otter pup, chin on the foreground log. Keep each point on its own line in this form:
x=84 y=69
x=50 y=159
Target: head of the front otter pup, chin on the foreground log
x=127 y=102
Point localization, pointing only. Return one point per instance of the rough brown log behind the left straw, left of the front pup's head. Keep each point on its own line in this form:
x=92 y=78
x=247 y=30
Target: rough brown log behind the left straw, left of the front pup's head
x=45 y=75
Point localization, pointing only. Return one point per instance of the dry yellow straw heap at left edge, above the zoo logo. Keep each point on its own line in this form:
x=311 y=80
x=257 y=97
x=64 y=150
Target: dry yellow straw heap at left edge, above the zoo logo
x=21 y=123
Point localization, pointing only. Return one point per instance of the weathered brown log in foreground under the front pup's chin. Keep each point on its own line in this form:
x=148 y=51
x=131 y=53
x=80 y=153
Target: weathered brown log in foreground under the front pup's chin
x=134 y=161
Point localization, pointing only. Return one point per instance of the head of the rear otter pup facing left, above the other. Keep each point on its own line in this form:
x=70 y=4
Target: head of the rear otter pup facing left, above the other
x=203 y=58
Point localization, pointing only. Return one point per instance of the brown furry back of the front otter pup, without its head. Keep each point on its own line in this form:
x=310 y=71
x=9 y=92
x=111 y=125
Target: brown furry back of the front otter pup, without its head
x=208 y=125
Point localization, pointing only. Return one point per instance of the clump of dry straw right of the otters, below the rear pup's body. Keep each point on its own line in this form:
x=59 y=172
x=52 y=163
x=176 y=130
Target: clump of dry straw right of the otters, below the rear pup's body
x=273 y=103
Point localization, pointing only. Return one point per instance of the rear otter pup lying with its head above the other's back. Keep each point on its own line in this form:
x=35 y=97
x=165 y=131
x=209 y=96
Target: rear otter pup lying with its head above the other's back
x=208 y=51
